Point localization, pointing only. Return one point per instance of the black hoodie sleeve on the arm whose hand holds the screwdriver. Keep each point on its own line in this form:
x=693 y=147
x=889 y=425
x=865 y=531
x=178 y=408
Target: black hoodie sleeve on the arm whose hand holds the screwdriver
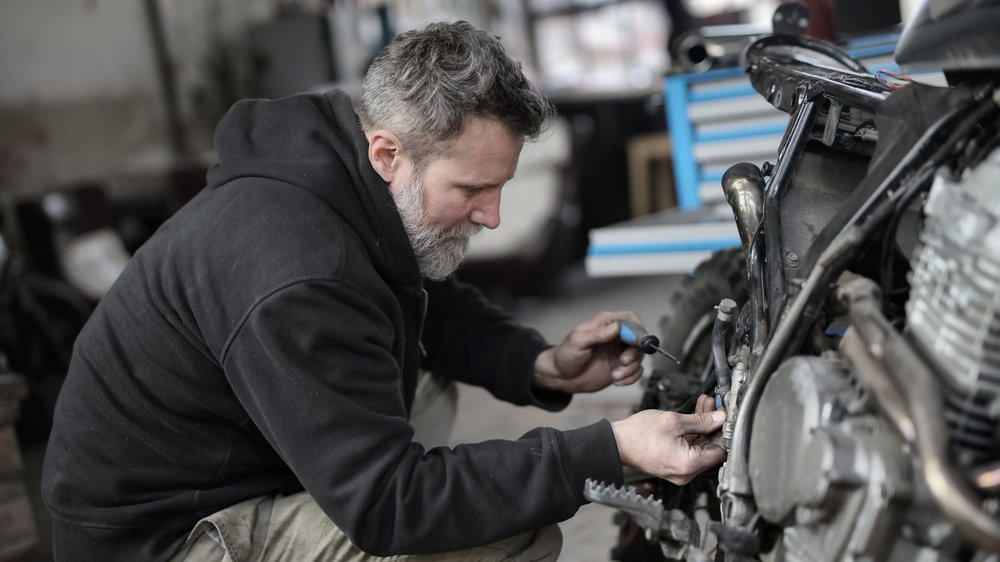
x=469 y=339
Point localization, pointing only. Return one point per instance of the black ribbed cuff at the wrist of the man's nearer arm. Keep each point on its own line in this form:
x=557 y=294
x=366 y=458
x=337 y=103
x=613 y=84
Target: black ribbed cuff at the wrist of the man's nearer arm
x=590 y=452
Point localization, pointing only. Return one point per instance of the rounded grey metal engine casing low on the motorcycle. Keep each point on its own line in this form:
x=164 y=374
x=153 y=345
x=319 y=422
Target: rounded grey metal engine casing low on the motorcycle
x=826 y=467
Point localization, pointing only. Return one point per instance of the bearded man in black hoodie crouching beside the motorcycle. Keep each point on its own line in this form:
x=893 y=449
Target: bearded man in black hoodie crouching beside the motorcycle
x=244 y=389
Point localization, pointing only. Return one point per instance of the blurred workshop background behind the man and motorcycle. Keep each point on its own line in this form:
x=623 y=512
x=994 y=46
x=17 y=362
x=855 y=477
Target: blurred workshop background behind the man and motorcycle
x=107 y=110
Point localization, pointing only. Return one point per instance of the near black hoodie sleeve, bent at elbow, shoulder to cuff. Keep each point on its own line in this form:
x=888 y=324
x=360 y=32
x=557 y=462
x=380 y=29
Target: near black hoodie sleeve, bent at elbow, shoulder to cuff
x=326 y=395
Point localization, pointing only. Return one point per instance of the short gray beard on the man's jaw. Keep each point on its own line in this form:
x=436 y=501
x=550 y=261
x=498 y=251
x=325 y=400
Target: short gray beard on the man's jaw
x=439 y=251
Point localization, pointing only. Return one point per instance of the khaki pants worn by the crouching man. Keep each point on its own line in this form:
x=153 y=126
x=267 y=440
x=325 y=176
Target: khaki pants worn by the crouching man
x=295 y=529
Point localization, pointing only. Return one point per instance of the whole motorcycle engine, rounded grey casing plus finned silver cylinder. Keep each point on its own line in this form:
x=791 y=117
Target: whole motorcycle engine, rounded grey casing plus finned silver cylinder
x=826 y=465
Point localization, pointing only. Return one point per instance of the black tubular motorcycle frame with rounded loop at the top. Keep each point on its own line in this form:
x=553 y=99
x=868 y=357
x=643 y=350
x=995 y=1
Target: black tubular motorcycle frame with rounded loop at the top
x=811 y=94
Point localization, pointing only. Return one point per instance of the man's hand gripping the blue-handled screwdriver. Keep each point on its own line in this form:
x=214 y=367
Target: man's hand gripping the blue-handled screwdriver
x=590 y=358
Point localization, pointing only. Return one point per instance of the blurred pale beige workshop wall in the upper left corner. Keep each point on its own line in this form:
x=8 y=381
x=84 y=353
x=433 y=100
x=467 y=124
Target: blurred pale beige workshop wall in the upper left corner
x=80 y=97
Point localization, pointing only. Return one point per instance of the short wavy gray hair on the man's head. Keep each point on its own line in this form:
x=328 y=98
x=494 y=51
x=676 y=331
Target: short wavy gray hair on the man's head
x=428 y=82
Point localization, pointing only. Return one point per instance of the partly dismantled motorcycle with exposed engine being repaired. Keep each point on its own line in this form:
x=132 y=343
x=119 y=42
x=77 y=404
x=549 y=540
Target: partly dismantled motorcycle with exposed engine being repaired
x=854 y=336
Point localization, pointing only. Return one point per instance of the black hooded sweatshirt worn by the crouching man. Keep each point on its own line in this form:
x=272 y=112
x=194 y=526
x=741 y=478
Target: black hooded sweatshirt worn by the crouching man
x=267 y=339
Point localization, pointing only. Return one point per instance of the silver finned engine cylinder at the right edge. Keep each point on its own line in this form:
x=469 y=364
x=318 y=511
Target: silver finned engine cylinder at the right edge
x=953 y=308
